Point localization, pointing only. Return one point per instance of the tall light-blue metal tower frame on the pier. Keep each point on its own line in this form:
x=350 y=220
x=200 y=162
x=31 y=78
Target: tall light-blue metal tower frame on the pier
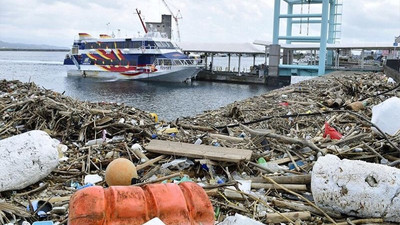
x=329 y=19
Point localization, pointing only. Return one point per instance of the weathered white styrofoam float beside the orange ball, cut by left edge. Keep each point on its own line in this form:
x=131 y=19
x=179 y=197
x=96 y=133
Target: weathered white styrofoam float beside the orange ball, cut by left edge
x=26 y=159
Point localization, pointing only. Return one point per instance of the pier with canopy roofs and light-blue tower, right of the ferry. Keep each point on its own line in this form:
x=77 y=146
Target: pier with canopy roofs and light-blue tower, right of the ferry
x=324 y=51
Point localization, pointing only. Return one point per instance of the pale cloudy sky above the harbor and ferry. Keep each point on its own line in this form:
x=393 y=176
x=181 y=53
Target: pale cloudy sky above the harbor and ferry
x=57 y=22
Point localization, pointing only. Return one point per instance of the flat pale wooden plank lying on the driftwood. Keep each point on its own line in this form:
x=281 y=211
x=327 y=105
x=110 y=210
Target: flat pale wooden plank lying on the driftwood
x=199 y=151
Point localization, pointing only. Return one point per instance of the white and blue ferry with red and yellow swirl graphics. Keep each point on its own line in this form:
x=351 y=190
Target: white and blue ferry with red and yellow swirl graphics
x=151 y=57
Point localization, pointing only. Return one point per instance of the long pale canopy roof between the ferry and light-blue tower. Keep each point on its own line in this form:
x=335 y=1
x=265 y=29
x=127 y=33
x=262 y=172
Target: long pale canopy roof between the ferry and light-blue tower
x=233 y=48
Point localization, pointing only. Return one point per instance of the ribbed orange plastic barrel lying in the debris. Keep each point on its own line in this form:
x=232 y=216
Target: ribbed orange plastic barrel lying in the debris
x=186 y=203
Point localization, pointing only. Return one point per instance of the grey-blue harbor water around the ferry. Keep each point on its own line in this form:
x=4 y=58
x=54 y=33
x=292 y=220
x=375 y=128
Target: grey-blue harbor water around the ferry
x=168 y=100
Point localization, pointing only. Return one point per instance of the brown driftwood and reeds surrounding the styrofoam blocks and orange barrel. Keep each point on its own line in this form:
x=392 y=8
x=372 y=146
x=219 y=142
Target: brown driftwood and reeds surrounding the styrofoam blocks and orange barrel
x=283 y=129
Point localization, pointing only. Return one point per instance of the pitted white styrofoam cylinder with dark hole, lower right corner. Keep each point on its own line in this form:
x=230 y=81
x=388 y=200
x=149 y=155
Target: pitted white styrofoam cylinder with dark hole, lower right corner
x=356 y=188
